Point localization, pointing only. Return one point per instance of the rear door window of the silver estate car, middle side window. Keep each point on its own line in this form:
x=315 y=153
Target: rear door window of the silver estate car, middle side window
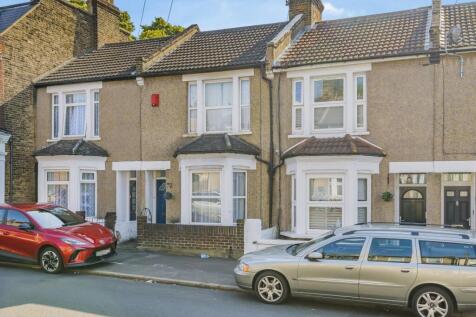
x=390 y=250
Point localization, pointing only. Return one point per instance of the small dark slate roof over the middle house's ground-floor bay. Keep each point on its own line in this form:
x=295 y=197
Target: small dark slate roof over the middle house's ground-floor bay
x=218 y=143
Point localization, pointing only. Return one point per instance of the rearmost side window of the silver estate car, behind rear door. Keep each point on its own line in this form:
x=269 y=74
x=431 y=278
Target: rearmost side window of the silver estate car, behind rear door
x=446 y=253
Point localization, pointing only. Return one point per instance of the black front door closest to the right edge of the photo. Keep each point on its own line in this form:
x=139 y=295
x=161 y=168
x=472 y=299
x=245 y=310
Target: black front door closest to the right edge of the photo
x=458 y=207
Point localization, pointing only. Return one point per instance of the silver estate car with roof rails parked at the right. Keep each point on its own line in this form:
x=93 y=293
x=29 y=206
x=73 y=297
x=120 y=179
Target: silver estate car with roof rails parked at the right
x=430 y=270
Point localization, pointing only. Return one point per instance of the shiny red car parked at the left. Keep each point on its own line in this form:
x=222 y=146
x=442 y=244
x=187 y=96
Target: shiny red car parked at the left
x=53 y=237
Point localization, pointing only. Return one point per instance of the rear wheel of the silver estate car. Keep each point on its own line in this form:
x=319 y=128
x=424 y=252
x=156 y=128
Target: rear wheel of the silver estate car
x=432 y=302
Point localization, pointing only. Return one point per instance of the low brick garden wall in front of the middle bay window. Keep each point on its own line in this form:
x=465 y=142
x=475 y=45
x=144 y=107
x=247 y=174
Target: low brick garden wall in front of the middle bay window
x=216 y=241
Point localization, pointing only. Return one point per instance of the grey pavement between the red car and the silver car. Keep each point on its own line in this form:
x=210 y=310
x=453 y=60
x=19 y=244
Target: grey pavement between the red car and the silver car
x=160 y=267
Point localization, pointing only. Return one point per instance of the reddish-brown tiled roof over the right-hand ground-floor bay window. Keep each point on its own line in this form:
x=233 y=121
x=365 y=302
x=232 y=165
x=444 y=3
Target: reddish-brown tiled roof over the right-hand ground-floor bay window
x=347 y=145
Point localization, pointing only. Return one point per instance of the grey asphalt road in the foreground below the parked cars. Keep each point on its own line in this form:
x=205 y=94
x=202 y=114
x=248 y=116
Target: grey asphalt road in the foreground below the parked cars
x=28 y=292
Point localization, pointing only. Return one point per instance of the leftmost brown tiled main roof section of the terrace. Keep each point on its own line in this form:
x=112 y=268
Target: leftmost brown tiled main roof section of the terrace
x=112 y=61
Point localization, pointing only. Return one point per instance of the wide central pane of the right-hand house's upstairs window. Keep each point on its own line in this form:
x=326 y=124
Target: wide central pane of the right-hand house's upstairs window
x=328 y=104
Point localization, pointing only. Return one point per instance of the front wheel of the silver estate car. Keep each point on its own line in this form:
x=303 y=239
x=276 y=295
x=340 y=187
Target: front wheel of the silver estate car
x=271 y=288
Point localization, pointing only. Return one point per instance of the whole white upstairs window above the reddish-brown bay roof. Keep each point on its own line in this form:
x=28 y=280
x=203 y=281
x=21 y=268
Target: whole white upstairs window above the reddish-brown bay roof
x=329 y=102
